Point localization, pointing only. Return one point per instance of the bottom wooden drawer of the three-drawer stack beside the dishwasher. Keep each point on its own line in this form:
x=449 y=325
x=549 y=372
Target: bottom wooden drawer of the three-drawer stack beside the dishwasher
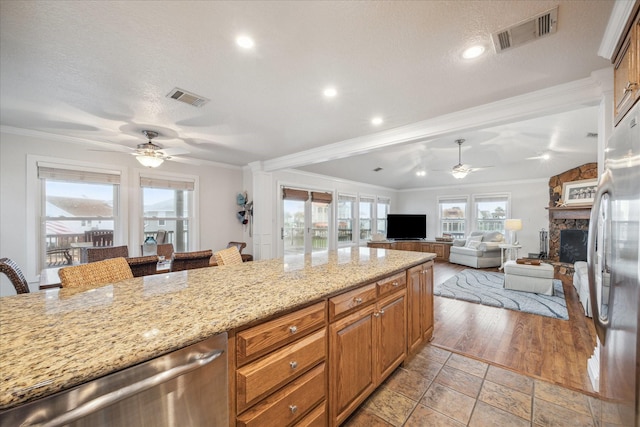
x=289 y=405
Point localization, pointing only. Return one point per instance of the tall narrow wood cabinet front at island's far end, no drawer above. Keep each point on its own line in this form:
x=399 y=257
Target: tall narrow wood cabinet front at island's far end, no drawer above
x=420 y=305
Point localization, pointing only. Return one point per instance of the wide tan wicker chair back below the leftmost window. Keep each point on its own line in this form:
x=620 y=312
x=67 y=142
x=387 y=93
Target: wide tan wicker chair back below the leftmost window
x=95 y=274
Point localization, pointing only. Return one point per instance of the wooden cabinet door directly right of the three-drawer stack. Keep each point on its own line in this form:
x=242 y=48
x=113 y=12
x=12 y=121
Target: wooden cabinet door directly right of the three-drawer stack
x=351 y=369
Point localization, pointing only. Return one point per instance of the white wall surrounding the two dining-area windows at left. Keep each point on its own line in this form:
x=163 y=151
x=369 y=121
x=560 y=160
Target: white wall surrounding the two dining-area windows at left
x=218 y=186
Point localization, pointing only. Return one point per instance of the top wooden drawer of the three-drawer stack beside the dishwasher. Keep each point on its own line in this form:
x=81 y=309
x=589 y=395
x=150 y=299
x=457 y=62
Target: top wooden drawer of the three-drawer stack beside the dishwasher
x=261 y=339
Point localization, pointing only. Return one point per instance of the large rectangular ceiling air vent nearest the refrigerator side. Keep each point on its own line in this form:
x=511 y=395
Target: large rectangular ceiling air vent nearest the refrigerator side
x=533 y=28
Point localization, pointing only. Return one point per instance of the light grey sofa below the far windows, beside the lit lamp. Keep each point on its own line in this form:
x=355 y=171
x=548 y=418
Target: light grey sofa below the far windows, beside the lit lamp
x=478 y=250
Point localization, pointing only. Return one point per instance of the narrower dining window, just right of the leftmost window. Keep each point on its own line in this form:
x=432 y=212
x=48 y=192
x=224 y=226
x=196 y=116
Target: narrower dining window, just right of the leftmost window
x=168 y=205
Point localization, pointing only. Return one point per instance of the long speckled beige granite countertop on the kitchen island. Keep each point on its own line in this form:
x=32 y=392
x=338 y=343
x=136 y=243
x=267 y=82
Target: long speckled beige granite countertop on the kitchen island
x=55 y=339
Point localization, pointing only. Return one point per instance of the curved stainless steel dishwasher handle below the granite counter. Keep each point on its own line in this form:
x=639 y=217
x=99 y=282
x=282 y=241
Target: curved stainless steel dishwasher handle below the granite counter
x=105 y=400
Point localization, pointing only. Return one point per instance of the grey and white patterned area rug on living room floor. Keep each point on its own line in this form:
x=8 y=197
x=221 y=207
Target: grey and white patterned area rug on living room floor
x=485 y=287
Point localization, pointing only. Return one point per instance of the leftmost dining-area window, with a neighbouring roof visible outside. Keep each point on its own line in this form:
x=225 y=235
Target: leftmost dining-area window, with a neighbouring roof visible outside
x=77 y=206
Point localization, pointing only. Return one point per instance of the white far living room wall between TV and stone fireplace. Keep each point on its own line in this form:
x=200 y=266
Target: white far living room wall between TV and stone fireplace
x=528 y=202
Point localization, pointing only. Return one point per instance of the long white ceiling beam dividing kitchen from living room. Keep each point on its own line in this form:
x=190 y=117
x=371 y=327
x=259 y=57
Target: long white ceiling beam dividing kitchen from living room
x=560 y=98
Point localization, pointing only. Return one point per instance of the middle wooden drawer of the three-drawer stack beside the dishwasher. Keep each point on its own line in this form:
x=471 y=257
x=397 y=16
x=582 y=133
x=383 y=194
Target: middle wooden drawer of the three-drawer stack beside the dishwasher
x=256 y=380
